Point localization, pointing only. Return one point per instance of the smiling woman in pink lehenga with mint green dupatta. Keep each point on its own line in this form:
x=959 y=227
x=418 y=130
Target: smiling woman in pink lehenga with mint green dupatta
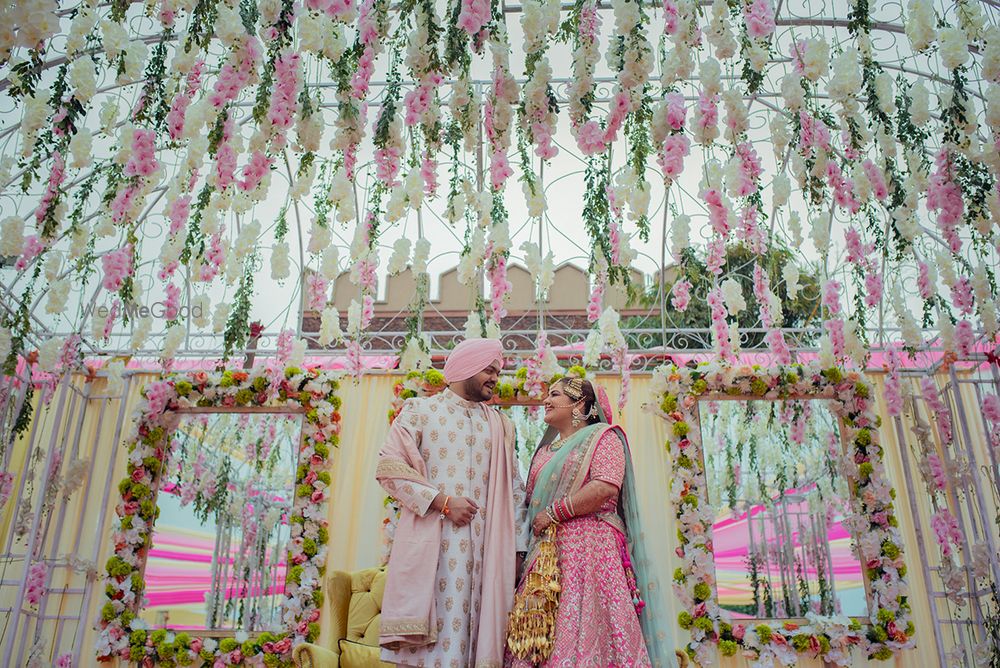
x=580 y=487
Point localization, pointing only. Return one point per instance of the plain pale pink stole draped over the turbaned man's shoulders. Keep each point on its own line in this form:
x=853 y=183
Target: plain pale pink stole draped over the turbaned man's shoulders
x=409 y=617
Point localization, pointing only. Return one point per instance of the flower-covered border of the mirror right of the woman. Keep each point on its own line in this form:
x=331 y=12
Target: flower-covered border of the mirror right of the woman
x=873 y=527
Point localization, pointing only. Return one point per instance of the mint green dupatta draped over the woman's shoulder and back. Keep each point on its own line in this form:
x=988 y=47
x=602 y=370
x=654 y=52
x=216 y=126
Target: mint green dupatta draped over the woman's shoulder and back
x=565 y=474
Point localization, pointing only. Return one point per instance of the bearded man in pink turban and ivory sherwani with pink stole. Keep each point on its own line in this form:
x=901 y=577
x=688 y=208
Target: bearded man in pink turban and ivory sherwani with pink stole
x=449 y=461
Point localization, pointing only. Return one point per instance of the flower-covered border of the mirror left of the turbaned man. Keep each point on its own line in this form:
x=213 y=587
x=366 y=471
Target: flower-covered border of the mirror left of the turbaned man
x=311 y=392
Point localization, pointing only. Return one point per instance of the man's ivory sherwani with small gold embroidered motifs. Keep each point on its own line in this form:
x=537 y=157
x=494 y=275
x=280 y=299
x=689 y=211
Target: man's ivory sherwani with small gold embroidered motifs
x=454 y=440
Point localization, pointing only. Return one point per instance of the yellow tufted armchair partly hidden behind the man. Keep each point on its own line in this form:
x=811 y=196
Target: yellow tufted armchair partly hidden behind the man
x=350 y=623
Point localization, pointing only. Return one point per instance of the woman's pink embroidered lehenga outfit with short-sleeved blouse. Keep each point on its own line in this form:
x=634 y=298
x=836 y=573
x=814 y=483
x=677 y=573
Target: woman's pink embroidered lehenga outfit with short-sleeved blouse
x=597 y=623
